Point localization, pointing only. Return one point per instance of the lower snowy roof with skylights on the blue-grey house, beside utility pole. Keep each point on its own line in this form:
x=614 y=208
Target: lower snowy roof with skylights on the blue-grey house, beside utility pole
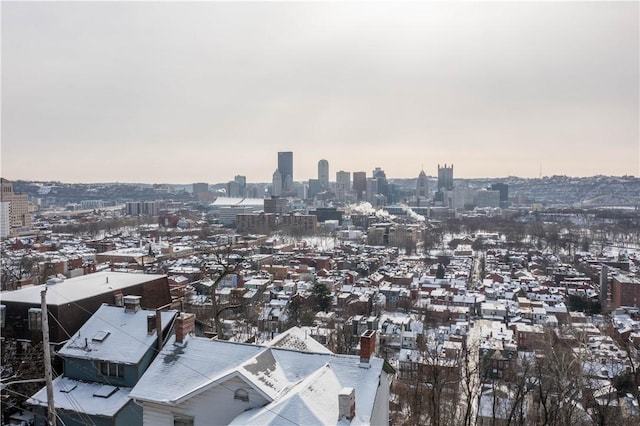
x=92 y=398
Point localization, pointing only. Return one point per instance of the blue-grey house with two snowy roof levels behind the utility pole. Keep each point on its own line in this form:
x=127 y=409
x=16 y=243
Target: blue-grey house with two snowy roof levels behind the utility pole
x=102 y=362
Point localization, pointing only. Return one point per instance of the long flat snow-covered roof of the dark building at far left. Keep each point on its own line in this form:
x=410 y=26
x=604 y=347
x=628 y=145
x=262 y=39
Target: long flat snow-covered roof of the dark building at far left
x=79 y=288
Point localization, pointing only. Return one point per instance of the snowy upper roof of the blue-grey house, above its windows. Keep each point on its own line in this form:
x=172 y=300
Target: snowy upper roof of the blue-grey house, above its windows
x=111 y=334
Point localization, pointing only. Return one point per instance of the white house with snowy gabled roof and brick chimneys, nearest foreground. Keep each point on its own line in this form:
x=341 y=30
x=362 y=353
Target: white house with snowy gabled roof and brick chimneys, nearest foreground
x=196 y=381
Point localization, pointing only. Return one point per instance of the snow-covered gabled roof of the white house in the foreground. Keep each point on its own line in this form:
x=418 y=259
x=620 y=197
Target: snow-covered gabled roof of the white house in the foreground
x=186 y=370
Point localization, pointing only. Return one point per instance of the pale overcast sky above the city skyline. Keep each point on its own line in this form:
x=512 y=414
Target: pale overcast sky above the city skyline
x=181 y=92
